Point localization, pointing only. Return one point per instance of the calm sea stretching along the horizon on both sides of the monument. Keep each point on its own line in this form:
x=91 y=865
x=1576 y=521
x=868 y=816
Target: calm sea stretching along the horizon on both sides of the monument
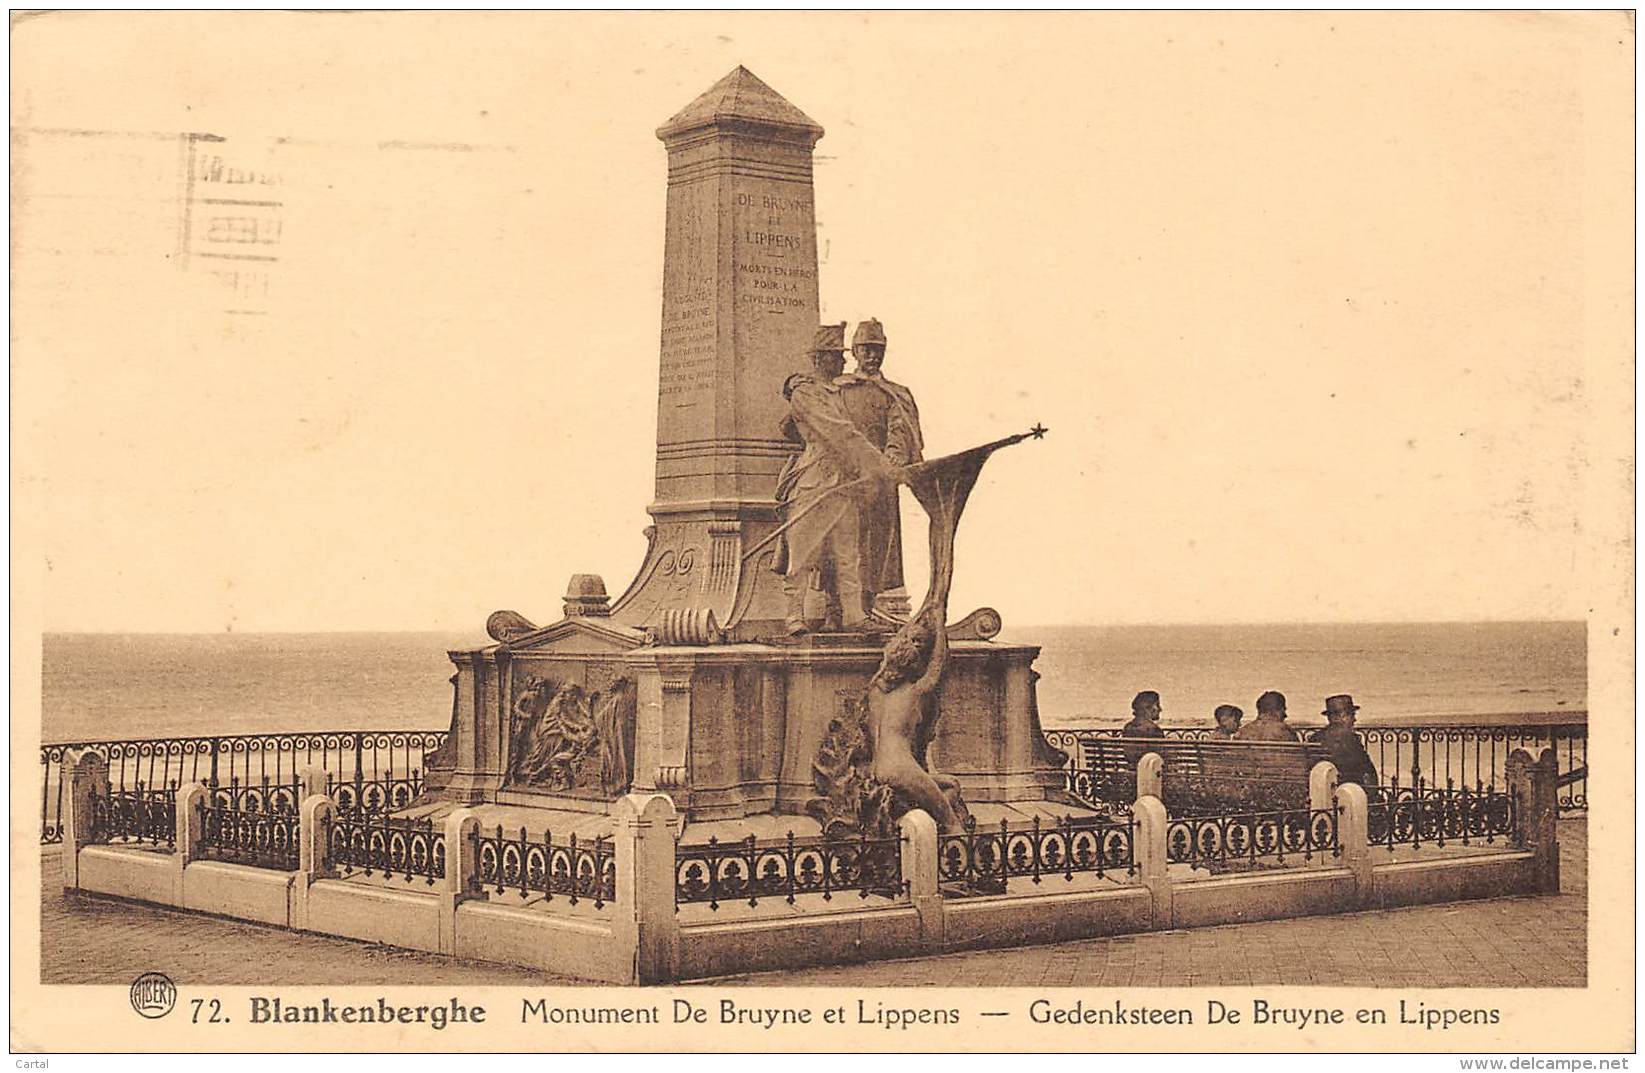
x=149 y=685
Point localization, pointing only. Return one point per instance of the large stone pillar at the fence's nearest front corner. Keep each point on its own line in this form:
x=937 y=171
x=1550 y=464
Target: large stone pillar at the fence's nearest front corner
x=646 y=829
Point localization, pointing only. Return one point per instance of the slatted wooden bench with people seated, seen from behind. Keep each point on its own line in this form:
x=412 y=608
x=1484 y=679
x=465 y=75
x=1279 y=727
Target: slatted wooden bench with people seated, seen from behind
x=1207 y=776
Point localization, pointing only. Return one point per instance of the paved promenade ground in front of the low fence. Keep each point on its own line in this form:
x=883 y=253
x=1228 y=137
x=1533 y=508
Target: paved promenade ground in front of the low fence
x=1524 y=942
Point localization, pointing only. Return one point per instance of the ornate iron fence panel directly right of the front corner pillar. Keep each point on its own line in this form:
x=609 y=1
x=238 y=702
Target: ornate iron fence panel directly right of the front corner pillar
x=787 y=868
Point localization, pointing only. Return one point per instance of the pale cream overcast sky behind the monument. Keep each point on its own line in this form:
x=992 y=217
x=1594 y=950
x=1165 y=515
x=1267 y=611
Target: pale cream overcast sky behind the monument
x=1322 y=310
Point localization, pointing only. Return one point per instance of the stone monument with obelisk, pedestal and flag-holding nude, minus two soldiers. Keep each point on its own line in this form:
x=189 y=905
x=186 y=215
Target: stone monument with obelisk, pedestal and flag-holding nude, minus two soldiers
x=687 y=684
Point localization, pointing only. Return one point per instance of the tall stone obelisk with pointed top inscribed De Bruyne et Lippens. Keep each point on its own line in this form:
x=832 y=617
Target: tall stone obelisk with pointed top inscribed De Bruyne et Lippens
x=739 y=314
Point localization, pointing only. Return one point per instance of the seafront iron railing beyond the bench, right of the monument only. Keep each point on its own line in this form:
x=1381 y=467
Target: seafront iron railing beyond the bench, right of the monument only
x=1463 y=753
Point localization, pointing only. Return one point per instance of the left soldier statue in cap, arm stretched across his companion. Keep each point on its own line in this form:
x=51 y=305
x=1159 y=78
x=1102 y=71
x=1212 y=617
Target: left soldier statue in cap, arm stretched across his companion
x=823 y=524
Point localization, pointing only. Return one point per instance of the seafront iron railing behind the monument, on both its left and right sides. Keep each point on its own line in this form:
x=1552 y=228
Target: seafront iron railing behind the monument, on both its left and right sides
x=378 y=771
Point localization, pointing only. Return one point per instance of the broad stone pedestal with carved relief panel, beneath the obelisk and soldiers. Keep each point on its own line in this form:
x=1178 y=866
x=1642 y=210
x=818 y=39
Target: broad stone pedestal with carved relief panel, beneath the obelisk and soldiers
x=728 y=732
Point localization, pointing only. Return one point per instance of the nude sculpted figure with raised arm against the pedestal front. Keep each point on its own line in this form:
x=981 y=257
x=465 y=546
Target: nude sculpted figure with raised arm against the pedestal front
x=901 y=707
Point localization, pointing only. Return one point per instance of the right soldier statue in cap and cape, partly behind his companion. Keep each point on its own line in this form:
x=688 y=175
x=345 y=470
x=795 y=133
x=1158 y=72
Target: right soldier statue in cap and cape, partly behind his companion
x=886 y=414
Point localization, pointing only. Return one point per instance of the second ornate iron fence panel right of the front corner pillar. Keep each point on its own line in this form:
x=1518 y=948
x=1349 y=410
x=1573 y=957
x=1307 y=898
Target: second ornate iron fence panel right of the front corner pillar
x=985 y=862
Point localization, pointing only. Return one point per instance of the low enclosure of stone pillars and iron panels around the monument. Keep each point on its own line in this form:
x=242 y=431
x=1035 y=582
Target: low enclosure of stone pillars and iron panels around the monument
x=641 y=904
